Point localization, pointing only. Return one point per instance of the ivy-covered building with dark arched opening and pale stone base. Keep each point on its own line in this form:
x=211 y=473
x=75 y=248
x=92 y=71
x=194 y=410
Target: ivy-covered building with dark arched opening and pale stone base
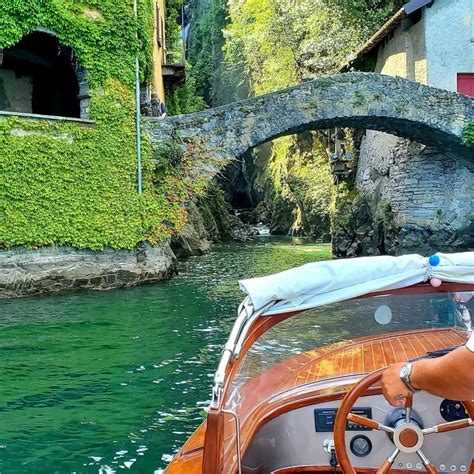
x=80 y=205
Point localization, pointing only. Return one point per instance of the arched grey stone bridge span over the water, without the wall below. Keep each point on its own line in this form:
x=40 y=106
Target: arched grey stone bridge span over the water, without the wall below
x=358 y=100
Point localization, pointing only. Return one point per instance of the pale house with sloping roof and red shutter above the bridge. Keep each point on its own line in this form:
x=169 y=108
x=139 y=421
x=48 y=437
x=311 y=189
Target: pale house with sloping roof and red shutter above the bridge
x=427 y=41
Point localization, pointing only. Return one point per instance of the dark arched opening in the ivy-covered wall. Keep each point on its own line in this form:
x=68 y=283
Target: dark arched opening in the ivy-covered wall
x=37 y=76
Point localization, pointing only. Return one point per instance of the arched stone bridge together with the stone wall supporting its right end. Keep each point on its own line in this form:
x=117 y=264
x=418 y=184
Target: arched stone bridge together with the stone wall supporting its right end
x=428 y=188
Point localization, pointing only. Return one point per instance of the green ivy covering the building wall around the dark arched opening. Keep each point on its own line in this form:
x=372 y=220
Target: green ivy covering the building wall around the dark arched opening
x=64 y=183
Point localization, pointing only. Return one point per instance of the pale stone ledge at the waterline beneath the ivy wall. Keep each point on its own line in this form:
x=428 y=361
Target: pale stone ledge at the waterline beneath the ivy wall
x=56 y=269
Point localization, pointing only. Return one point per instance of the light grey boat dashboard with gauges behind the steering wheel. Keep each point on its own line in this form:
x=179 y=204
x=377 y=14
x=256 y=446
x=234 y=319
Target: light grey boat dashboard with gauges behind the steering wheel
x=299 y=437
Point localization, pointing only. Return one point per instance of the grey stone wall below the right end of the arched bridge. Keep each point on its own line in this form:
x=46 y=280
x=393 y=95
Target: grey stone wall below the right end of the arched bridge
x=430 y=192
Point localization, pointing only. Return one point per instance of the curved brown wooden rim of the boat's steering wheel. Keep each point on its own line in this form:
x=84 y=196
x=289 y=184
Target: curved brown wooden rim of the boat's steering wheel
x=346 y=406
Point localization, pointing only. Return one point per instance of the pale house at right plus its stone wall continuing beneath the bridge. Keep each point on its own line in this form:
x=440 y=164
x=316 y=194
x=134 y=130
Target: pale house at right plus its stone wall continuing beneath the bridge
x=428 y=192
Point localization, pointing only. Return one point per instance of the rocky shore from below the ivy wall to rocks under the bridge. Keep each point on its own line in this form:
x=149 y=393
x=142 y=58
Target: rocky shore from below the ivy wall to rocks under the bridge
x=47 y=270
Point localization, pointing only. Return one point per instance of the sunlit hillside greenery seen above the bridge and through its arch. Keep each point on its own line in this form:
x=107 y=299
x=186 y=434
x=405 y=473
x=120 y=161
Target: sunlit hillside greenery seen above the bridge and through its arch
x=242 y=48
